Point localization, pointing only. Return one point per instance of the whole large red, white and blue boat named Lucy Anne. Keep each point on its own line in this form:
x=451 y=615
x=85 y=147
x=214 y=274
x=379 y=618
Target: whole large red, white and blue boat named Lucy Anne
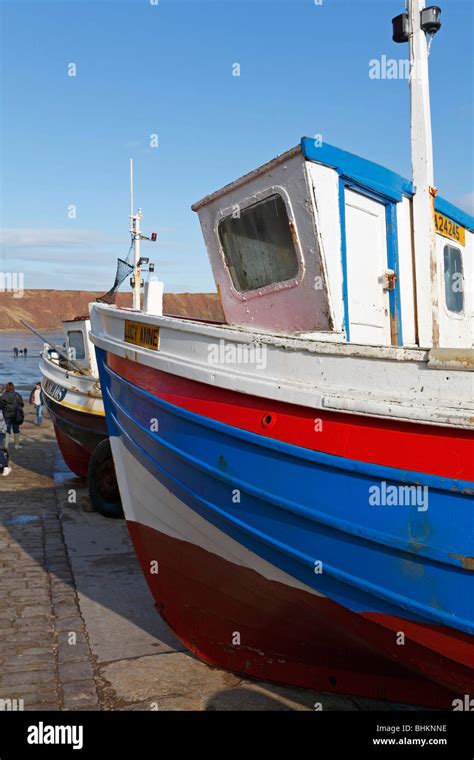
x=298 y=479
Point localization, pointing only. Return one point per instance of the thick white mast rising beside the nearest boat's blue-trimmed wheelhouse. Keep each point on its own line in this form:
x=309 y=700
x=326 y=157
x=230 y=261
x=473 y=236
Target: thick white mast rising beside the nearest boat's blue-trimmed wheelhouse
x=423 y=179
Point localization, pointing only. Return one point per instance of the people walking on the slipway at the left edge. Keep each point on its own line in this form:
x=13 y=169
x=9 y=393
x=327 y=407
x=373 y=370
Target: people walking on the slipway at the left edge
x=12 y=418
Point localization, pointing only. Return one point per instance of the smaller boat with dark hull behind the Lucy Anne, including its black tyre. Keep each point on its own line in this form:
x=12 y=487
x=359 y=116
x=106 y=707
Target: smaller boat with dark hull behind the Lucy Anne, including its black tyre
x=72 y=395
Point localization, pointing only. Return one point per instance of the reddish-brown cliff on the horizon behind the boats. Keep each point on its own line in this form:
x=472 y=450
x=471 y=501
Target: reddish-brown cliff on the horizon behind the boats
x=46 y=309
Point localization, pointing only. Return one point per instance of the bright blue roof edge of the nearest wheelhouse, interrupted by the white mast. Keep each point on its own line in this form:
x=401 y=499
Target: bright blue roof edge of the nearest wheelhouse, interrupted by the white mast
x=375 y=177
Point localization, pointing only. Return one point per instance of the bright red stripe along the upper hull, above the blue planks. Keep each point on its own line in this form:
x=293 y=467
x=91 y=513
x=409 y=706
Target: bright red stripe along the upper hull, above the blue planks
x=447 y=452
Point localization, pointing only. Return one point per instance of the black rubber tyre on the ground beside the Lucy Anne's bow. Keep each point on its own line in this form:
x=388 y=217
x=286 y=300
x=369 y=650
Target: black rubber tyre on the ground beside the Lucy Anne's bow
x=103 y=488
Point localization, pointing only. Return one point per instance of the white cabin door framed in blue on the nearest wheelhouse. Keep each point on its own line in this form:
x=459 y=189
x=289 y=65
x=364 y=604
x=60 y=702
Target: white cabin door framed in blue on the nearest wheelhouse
x=366 y=261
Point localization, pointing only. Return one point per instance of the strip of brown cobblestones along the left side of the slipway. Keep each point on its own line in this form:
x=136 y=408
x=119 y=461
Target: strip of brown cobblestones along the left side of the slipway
x=38 y=601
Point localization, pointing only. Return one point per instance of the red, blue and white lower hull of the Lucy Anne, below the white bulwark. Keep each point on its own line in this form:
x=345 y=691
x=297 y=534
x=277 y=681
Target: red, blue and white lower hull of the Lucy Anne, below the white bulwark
x=271 y=560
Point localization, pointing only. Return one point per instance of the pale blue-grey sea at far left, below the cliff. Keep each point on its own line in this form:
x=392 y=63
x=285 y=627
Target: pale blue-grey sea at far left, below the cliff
x=23 y=371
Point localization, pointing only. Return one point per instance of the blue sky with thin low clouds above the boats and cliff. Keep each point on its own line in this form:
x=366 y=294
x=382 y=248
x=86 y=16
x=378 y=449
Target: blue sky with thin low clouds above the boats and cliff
x=166 y=69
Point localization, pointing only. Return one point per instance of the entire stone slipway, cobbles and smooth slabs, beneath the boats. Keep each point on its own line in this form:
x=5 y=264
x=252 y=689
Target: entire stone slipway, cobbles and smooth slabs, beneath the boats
x=78 y=629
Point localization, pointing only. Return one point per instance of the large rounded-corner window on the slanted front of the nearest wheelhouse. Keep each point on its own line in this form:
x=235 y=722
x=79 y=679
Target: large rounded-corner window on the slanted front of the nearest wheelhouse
x=258 y=245
